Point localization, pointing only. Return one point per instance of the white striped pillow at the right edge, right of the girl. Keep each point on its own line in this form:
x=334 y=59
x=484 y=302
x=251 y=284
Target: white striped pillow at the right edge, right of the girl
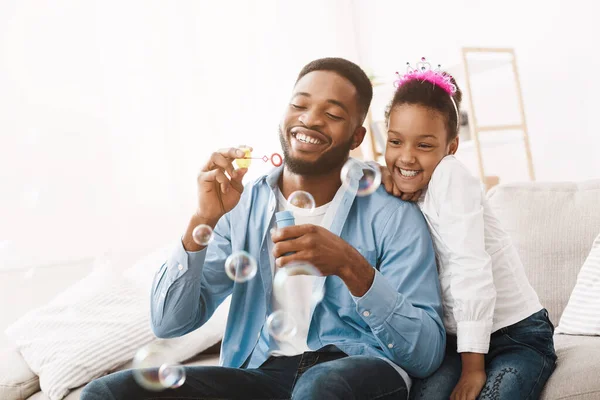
x=582 y=314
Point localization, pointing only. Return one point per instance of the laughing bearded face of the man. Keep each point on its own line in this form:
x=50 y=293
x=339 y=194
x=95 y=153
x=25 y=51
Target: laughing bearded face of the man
x=321 y=124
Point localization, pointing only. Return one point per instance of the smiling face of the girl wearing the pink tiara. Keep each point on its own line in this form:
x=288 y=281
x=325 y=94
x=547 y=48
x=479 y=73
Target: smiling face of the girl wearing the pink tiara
x=417 y=142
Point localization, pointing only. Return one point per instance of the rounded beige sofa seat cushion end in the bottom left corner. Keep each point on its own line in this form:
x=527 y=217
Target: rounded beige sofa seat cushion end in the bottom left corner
x=17 y=380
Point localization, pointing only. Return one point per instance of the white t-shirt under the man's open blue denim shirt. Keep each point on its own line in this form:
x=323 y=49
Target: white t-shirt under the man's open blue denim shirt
x=299 y=289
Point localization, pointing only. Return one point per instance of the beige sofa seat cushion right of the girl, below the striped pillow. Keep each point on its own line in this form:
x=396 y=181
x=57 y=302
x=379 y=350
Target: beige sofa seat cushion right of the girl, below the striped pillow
x=576 y=374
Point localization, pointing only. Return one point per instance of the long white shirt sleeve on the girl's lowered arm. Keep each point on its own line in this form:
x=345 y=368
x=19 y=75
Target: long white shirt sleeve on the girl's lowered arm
x=458 y=197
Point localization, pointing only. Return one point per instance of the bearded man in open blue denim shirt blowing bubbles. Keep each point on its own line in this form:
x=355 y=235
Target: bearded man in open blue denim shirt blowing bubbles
x=379 y=320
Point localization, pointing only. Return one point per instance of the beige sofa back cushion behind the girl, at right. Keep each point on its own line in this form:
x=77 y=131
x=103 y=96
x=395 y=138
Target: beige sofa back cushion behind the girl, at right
x=553 y=226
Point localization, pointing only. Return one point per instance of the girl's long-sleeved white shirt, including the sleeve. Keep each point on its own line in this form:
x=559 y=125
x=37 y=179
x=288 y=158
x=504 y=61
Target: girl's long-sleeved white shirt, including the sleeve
x=484 y=286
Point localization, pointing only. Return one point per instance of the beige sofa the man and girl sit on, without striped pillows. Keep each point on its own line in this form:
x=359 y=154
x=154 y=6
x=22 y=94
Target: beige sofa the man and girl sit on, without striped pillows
x=553 y=226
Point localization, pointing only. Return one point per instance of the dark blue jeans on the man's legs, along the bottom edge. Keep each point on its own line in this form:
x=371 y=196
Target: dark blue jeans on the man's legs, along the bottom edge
x=312 y=375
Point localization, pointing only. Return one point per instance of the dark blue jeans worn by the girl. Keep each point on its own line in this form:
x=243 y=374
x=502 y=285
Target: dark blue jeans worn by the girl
x=520 y=361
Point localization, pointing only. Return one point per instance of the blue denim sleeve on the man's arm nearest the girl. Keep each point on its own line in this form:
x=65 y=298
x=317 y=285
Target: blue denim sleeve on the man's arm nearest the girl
x=403 y=305
